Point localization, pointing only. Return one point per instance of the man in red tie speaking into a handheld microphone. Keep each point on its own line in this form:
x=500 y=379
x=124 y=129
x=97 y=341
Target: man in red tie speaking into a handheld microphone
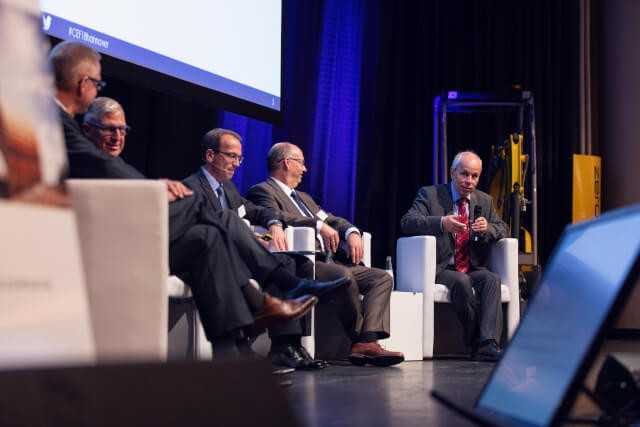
x=465 y=223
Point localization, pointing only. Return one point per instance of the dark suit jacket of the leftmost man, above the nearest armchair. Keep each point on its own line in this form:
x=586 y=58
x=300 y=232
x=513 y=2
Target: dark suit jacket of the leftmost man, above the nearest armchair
x=86 y=160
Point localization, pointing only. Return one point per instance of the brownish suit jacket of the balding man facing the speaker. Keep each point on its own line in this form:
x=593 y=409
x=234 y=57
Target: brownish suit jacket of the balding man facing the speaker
x=268 y=194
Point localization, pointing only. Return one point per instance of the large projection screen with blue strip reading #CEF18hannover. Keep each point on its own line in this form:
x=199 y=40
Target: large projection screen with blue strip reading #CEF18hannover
x=232 y=47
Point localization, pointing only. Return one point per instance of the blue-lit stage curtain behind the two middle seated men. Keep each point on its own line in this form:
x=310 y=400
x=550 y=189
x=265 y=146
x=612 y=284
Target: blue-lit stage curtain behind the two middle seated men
x=322 y=87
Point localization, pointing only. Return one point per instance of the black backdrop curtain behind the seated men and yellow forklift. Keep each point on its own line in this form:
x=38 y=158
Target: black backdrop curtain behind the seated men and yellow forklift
x=411 y=52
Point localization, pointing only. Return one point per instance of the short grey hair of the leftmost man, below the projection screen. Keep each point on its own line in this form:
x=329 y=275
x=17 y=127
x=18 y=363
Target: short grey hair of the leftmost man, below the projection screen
x=65 y=59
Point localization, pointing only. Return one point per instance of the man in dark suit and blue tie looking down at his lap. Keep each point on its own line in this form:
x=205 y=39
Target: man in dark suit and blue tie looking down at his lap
x=222 y=155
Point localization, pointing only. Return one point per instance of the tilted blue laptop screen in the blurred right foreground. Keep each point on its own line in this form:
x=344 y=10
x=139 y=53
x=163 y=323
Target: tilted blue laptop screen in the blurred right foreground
x=581 y=282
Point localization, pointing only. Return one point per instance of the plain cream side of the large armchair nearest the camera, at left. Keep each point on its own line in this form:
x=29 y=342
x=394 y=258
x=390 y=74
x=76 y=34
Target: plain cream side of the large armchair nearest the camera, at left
x=123 y=229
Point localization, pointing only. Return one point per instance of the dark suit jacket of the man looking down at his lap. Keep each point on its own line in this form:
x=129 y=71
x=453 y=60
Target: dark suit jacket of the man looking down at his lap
x=256 y=215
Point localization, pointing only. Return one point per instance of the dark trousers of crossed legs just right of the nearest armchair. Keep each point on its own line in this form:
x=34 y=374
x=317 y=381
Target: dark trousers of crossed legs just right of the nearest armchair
x=219 y=254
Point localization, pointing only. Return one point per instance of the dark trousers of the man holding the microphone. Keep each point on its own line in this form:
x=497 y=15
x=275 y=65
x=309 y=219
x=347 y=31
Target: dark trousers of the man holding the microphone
x=476 y=299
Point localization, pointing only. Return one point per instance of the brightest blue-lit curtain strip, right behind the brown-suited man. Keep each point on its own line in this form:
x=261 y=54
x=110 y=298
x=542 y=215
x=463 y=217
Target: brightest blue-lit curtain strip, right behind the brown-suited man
x=334 y=148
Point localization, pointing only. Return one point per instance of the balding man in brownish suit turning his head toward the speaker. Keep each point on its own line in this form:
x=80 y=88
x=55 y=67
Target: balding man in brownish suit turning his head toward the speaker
x=286 y=168
